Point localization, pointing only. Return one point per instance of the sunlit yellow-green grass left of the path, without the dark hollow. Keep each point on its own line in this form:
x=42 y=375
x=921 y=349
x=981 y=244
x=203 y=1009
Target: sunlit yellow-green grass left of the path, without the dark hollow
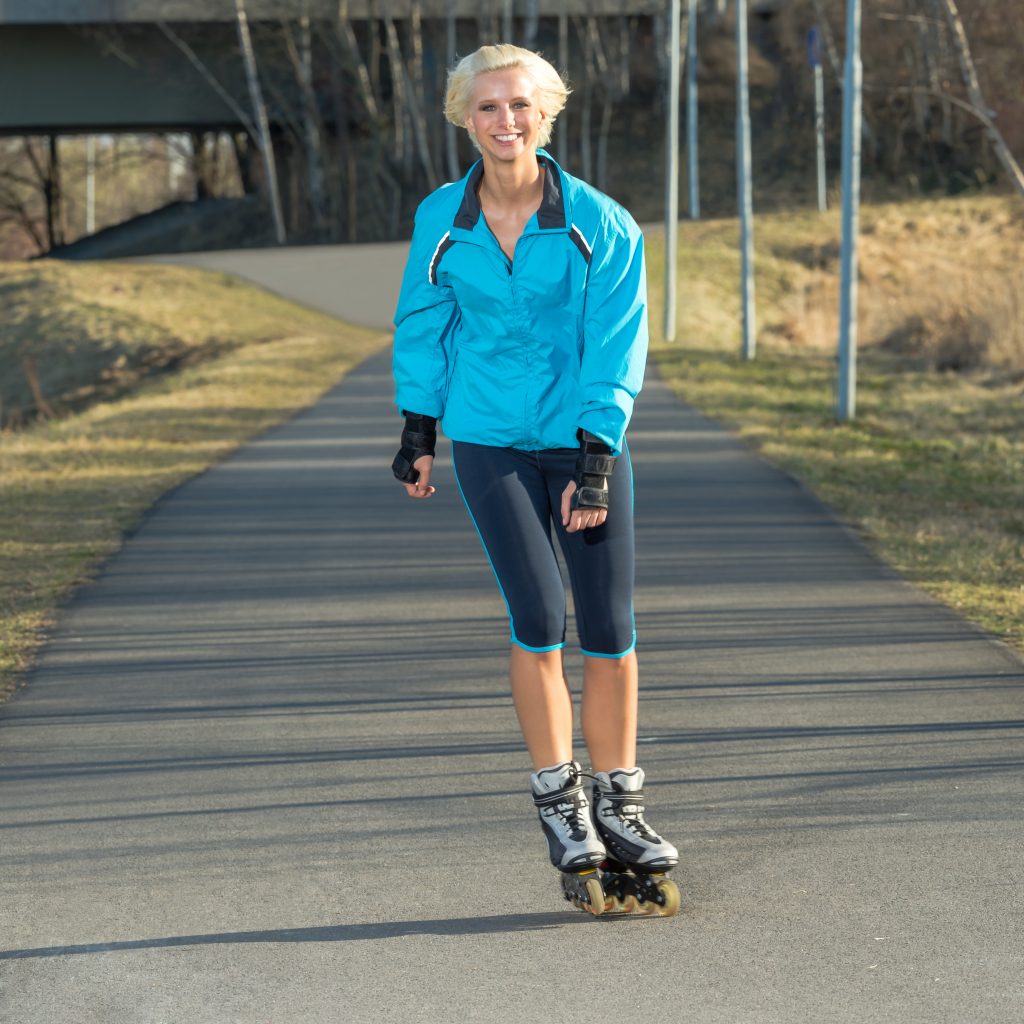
x=73 y=486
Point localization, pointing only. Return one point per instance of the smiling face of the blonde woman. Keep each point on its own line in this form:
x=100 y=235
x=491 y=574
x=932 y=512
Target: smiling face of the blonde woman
x=504 y=114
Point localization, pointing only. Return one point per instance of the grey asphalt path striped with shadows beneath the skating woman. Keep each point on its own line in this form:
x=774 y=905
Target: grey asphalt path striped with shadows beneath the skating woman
x=268 y=770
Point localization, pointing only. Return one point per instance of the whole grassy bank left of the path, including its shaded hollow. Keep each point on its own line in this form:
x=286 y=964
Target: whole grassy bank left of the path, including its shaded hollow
x=169 y=369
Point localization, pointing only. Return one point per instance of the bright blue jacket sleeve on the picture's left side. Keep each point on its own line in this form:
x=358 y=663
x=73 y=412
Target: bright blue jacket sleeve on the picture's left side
x=425 y=323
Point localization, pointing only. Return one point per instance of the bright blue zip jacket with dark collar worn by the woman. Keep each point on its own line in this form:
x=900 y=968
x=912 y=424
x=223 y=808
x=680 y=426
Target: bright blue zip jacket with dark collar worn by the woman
x=521 y=354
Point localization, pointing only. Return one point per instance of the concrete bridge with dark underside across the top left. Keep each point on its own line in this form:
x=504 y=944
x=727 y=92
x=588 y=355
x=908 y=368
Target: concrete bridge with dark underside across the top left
x=92 y=66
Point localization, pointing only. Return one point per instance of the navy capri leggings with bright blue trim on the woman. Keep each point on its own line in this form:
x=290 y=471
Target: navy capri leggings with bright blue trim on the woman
x=515 y=500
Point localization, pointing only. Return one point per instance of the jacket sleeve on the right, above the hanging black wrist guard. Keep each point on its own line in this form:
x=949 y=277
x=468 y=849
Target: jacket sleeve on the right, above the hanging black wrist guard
x=615 y=350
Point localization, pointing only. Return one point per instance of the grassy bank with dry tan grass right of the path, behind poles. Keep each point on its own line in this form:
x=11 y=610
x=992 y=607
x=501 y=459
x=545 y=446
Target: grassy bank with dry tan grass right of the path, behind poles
x=932 y=470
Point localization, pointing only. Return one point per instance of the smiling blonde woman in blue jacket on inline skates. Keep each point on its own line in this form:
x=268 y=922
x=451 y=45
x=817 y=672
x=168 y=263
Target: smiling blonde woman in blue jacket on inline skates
x=523 y=325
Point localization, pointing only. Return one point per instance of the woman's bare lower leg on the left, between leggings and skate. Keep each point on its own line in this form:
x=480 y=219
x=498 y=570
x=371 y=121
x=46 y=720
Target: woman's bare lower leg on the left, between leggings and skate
x=543 y=704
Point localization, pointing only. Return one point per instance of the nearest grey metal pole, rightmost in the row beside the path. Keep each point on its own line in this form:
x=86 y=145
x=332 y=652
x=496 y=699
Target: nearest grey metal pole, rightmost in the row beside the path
x=847 y=386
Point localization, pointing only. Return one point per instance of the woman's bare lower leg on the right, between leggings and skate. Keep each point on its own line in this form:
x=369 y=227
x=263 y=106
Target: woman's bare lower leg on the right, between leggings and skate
x=610 y=711
